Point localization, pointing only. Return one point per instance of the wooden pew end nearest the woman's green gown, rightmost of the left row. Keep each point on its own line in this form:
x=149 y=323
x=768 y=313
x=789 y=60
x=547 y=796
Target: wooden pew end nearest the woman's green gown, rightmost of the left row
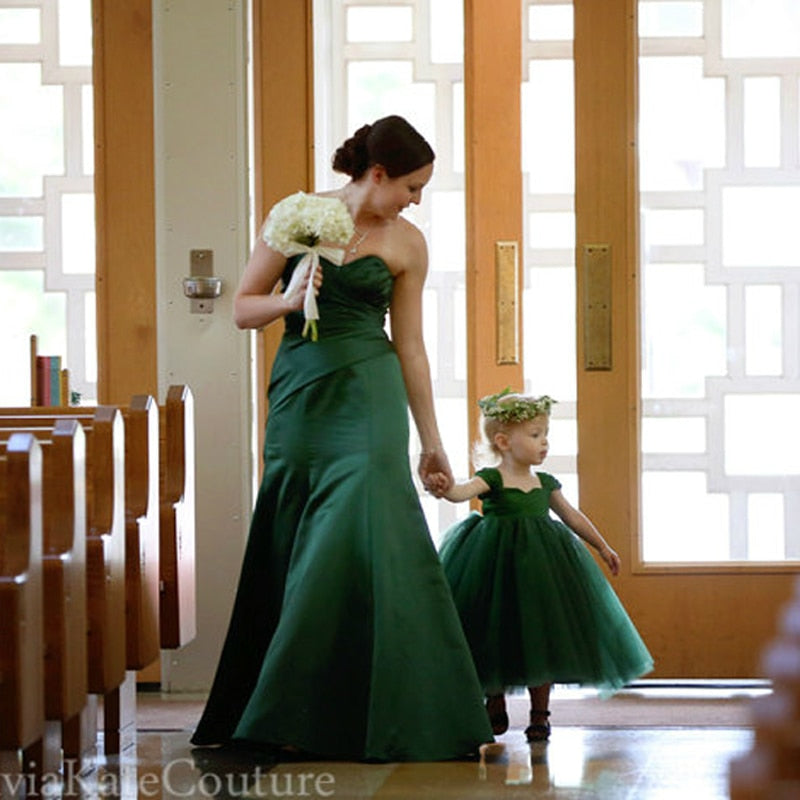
x=177 y=519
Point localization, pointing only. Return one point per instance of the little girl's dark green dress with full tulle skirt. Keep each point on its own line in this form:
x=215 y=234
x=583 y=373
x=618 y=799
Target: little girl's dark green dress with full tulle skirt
x=535 y=605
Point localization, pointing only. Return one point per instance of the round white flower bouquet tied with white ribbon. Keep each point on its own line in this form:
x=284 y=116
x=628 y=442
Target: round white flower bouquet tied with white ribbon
x=311 y=225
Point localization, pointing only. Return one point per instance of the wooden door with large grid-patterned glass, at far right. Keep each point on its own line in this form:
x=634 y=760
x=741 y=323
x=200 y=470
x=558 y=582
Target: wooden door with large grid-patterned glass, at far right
x=687 y=164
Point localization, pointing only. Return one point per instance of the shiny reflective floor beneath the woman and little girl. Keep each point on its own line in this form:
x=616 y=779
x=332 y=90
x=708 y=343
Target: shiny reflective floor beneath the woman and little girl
x=652 y=743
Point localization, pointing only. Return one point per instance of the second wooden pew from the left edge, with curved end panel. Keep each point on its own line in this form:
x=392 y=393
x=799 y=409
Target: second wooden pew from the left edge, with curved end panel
x=64 y=579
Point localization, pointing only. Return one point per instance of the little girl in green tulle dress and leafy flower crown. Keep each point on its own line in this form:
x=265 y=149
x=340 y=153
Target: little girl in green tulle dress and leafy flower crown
x=534 y=604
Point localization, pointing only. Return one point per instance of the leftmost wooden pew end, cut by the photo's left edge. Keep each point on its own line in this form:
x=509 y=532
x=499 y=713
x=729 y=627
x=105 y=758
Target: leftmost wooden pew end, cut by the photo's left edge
x=21 y=618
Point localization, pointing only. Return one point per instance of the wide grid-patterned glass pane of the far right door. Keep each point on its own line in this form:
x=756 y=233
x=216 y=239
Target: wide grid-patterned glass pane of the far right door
x=720 y=192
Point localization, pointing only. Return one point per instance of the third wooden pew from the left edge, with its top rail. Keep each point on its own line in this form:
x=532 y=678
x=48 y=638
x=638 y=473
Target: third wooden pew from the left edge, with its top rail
x=105 y=555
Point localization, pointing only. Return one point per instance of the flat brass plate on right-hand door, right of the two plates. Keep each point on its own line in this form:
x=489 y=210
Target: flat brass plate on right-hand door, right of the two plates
x=597 y=306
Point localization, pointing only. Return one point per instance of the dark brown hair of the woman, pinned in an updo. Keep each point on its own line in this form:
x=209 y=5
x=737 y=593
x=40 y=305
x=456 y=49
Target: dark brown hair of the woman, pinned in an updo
x=391 y=142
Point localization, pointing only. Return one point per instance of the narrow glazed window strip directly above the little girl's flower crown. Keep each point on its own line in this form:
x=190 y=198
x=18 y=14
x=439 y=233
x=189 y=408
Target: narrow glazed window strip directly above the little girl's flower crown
x=548 y=164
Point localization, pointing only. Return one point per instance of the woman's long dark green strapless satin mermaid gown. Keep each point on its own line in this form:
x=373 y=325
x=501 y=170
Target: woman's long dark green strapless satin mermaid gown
x=344 y=640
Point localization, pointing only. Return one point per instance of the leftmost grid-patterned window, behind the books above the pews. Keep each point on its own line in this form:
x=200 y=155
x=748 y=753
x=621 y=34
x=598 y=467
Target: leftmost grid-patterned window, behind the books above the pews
x=47 y=251
